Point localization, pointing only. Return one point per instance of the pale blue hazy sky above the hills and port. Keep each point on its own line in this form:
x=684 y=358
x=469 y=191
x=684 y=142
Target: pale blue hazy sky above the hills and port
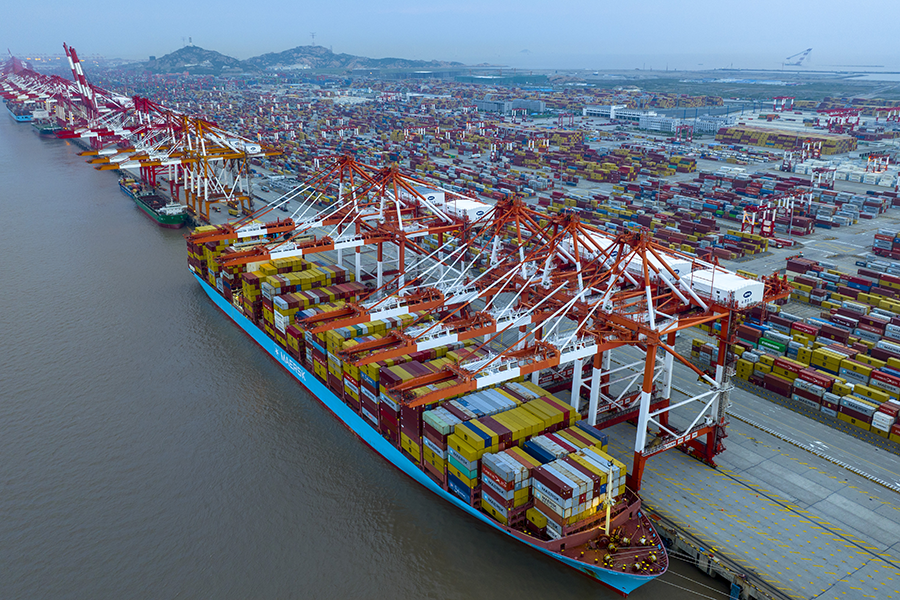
x=521 y=33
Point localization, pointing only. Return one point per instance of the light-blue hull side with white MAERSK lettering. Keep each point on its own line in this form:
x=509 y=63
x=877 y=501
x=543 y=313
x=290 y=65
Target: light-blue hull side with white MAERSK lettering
x=623 y=583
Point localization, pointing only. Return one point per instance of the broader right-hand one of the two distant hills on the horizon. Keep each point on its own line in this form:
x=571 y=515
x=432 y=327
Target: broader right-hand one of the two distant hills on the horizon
x=319 y=57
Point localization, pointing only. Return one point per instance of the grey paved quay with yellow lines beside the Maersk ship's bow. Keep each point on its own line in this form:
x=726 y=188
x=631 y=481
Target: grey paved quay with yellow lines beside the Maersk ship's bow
x=781 y=503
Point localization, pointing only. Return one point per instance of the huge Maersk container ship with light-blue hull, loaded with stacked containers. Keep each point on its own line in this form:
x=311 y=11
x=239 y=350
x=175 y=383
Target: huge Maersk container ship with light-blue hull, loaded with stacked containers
x=513 y=456
